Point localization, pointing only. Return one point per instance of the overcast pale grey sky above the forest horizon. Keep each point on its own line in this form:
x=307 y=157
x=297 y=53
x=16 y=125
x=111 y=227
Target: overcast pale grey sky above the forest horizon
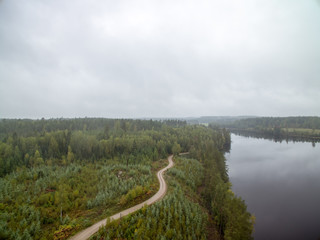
x=132 y=59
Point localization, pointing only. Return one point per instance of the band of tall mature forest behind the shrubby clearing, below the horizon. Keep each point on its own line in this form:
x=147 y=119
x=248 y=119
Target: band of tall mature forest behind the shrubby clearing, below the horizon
x=32 y=143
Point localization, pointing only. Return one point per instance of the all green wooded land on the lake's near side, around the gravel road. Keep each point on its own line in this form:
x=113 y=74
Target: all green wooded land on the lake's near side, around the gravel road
x=60 y=175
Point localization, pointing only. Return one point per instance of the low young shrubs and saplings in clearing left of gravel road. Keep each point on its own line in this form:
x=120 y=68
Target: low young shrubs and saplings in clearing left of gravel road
x=43 y=192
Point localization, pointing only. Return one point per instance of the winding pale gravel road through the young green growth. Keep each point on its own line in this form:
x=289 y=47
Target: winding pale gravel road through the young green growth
x=86 y=233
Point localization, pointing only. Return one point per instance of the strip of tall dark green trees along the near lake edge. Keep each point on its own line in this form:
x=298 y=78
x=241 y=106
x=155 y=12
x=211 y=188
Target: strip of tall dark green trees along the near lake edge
x=228 y=213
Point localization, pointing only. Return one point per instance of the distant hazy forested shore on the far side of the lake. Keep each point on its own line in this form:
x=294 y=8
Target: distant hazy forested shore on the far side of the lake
x=278 y=128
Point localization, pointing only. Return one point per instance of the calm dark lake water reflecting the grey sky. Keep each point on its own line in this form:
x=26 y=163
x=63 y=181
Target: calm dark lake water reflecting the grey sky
x=280 y=183
